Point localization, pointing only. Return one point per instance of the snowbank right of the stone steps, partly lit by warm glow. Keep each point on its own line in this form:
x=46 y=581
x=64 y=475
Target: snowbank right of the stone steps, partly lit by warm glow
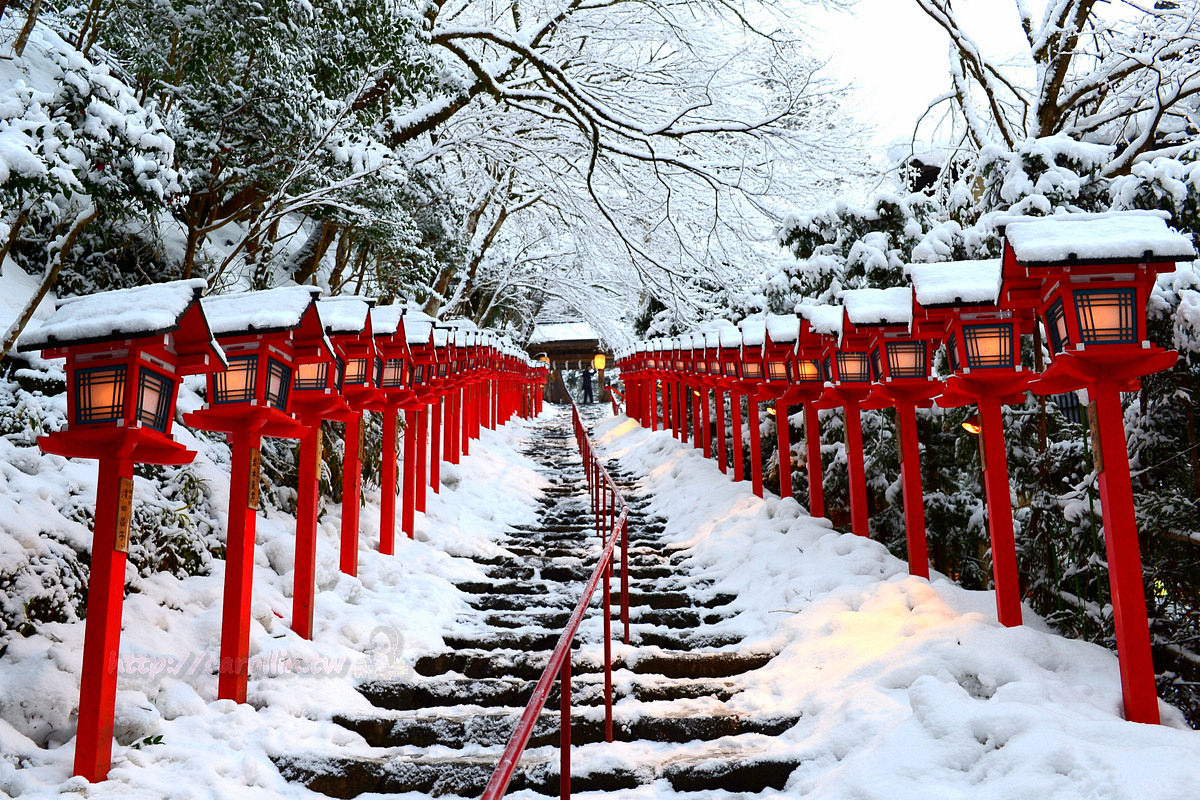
x=905 y=688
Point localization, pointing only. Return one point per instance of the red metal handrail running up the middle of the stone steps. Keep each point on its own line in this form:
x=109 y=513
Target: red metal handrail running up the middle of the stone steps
x=608 y=506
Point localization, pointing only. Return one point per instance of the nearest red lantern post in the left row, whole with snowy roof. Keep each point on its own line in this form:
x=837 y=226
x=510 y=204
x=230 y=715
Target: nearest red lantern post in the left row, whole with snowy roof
x=127 y=352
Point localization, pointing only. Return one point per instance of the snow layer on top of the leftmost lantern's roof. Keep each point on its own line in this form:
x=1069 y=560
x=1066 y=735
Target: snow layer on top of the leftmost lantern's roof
x=122 y=314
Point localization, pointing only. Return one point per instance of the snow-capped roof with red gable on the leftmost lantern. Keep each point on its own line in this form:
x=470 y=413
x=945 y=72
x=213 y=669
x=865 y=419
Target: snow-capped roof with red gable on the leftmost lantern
x=154 y=311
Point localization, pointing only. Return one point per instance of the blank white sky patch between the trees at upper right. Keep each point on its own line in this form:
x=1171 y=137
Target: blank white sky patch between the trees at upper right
x=898 y=57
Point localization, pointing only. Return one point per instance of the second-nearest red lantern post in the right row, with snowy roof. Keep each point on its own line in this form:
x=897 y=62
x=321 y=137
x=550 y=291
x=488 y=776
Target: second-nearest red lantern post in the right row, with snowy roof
x=983 y=346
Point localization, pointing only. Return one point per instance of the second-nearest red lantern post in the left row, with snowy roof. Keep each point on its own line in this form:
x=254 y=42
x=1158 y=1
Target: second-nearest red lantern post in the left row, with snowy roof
x=265 y=335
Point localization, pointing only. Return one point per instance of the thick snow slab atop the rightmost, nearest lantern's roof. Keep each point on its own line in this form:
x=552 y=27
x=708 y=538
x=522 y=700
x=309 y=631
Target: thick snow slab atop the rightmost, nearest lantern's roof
x=1118 y=236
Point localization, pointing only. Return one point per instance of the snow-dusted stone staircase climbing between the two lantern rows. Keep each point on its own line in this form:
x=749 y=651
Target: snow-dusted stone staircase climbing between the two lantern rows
x=442 y=731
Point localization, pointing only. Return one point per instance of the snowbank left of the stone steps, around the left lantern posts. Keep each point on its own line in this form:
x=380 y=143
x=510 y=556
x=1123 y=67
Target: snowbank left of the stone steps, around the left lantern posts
x=176 y=741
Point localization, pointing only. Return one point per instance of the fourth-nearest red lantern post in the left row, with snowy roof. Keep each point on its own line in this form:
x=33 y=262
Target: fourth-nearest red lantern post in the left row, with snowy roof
x=358 y=356
